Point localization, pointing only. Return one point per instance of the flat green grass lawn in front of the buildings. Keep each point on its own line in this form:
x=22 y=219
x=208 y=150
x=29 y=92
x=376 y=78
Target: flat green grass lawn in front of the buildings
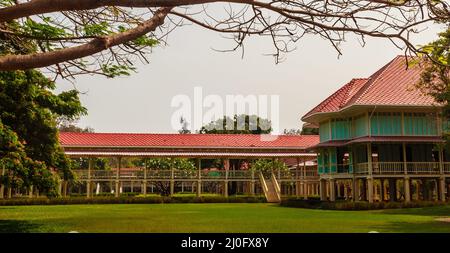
x=216 y=218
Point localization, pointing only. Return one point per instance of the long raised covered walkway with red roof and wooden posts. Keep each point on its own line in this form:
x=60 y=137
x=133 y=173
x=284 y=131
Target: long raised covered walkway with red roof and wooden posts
x=301 y=179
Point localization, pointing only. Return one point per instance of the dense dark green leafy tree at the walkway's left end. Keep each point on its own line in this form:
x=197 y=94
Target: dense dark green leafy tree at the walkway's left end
x=28 y=113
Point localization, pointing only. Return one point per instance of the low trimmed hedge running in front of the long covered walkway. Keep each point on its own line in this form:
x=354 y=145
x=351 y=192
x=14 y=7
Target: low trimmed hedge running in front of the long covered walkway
x=128 y=200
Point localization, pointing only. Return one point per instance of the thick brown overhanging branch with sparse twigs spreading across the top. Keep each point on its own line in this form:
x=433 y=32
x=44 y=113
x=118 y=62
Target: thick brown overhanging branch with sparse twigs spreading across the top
x=108 y=36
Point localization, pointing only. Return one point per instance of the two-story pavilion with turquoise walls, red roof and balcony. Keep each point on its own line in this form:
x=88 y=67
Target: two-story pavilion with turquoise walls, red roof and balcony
x=380 y=139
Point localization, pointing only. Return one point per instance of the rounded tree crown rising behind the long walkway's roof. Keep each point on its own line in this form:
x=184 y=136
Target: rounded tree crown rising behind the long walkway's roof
x=239 y=124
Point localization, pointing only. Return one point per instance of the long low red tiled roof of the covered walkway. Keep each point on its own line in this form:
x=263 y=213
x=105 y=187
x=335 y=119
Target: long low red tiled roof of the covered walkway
x=71 y=139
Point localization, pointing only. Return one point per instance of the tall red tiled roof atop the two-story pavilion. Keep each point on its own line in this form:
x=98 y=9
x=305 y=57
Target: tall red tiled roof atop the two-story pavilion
x=392 y=85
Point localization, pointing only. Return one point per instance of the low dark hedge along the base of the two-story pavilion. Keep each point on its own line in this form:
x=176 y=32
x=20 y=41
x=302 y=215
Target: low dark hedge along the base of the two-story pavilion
x=349 y=205
